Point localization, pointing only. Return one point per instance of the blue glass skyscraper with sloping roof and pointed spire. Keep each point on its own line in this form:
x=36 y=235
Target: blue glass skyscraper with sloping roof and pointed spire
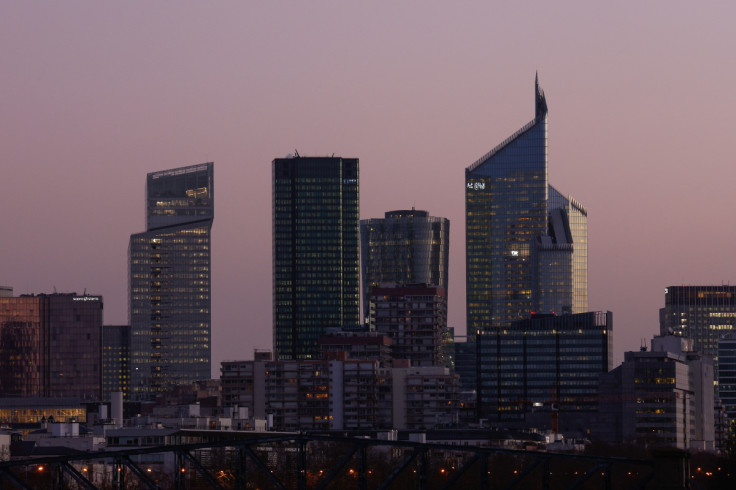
x=526 y=242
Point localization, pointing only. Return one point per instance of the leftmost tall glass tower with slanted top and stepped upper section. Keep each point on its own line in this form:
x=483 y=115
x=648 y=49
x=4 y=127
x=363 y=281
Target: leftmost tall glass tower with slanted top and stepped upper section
x=169 y=282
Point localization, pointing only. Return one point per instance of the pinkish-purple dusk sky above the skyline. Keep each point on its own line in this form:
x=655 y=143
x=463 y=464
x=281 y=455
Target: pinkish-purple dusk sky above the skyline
x=94 y=95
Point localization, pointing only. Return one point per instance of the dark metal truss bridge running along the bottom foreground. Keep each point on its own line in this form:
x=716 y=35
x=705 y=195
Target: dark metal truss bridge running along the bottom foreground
x=304 y=461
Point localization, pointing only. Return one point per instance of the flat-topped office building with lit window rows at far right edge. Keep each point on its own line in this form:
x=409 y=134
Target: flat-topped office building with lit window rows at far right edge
x=700 y=313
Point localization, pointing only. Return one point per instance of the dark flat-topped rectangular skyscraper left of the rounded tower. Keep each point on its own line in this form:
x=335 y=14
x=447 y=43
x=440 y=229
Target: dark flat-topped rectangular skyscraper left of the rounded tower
x=315 y=251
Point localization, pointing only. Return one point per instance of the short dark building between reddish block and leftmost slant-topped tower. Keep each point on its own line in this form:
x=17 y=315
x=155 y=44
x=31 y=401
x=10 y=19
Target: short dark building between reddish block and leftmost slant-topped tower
x=115 y=360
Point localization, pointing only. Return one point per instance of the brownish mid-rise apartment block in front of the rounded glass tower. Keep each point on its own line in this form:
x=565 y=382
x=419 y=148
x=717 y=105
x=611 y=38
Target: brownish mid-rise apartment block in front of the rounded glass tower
x=415 y=318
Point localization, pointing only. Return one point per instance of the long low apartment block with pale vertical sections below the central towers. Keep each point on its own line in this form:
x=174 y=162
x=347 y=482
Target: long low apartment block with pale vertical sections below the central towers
x=341 y=394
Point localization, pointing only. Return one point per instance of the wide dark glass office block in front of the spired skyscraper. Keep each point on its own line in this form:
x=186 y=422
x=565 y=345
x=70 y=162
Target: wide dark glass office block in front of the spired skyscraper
x=545 y=363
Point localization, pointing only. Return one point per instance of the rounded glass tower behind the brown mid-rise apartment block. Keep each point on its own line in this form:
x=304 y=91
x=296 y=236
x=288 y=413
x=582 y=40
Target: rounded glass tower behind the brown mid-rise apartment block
x=404 y=247
